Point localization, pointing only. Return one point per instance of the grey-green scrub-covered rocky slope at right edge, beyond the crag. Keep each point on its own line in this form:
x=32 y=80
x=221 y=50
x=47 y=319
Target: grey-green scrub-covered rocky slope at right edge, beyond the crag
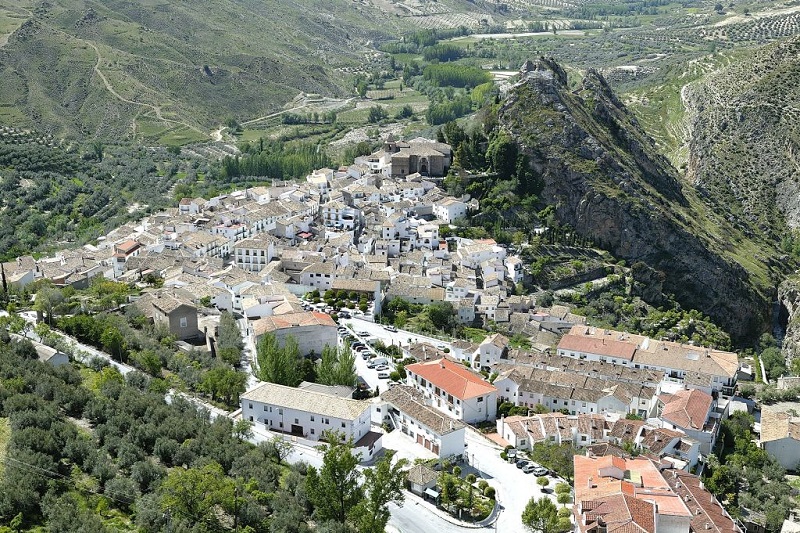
x=744 y=133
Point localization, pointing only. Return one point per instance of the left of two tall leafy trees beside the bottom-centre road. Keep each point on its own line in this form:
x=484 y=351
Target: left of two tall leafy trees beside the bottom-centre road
x=335 y=489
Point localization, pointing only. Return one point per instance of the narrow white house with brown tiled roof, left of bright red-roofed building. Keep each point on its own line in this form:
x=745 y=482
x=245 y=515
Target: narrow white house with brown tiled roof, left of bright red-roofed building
x=406 y=410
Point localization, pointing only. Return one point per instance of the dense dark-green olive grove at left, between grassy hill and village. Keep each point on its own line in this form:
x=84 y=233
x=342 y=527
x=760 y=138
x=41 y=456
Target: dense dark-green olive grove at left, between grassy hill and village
x=54 y=195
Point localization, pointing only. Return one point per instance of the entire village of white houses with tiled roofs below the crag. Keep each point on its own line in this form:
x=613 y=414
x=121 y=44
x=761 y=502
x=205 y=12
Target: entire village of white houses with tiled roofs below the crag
x=645 y=413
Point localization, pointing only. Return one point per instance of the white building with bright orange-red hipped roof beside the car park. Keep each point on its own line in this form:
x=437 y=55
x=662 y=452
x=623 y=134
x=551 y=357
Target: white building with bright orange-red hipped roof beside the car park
x=454 y=390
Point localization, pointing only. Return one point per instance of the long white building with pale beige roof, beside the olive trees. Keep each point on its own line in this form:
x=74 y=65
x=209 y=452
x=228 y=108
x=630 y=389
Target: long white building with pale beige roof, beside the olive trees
x=310 y=415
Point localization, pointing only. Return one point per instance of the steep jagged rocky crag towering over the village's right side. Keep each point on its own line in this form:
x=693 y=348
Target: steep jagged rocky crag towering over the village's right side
x=606 y=180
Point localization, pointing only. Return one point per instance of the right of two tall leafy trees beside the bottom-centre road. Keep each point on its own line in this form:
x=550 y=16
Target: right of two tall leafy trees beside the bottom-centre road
x=382 y=484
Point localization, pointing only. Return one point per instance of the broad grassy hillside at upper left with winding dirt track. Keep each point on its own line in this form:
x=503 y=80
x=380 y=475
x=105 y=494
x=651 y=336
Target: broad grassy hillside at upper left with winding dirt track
x=170 y=71
